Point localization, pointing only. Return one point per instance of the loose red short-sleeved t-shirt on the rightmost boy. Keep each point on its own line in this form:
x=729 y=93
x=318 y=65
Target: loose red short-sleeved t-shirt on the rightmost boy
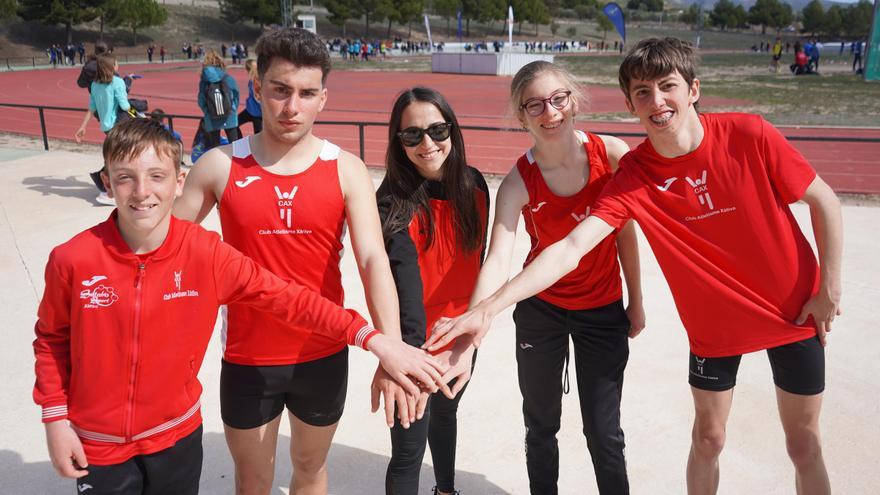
x=718 y=221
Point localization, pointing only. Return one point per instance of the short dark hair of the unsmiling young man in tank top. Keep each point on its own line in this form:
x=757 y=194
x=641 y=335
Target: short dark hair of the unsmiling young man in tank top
x=296 y=45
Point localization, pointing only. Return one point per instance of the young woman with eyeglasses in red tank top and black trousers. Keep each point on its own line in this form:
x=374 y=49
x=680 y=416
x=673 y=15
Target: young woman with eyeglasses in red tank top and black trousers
x=553 y=186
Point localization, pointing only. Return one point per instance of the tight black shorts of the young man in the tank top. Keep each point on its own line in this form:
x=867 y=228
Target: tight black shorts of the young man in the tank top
x=251 y=396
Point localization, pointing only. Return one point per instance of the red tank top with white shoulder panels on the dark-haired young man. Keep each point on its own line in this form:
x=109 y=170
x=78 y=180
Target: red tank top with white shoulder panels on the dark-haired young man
x=293 y=225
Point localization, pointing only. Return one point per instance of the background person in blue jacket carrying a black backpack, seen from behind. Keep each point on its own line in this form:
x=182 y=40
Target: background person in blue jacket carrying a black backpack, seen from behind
x=220 y=108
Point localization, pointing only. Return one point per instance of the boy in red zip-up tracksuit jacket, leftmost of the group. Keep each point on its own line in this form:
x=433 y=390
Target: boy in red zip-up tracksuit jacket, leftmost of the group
x=125 y=320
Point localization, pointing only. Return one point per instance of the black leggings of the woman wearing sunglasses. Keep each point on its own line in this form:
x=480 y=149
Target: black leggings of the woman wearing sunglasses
x=439 y=428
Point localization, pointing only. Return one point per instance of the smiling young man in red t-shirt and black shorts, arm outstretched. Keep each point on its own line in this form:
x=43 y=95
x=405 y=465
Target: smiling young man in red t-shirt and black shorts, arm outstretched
x=711 y=194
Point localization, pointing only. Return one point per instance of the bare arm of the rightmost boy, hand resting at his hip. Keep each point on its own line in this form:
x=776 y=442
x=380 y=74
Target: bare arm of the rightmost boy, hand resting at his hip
x=827 y=222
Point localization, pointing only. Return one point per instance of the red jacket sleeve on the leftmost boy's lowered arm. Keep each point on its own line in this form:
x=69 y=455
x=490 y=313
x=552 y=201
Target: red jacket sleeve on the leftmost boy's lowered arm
x=52 y=345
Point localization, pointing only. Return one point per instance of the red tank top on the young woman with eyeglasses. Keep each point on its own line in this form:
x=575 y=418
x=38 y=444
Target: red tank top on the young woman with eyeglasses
x=548 y=218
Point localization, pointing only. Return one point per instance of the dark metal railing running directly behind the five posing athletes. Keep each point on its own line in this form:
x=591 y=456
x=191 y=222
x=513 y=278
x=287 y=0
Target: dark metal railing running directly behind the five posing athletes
x=361 y=126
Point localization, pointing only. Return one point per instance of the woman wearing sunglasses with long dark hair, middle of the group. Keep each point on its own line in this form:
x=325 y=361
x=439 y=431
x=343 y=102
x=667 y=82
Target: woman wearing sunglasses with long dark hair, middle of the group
x=434 y=210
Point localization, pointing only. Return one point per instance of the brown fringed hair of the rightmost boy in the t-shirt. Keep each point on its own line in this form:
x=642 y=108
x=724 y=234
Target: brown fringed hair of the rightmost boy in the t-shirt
x=653 y=58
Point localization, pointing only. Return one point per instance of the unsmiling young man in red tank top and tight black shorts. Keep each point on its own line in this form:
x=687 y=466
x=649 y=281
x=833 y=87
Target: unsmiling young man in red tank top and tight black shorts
x=284 y=196
